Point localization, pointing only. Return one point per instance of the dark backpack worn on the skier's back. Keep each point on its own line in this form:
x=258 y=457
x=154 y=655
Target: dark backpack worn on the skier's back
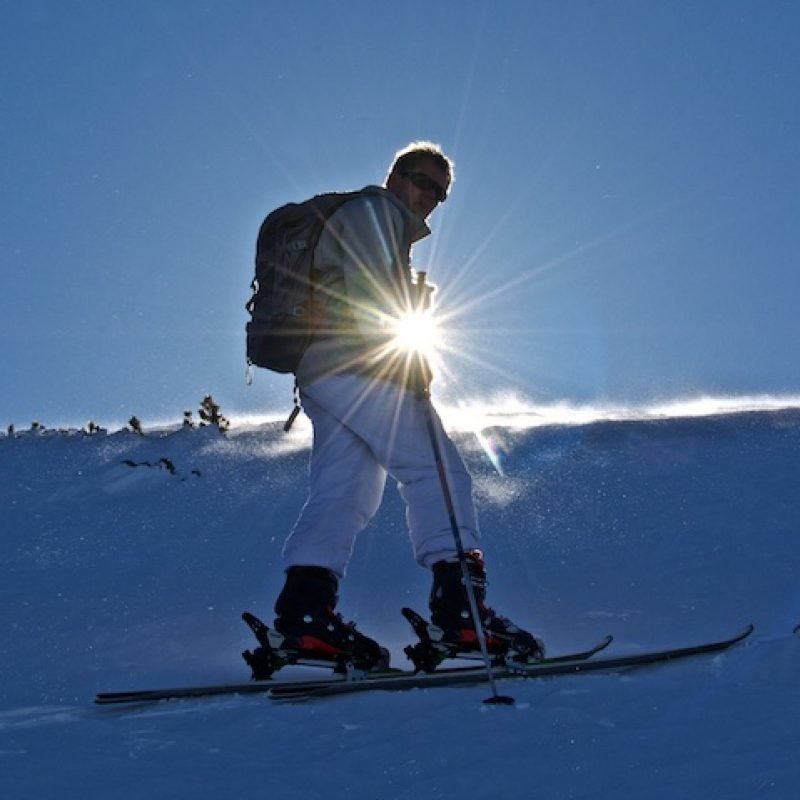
x=283 y=310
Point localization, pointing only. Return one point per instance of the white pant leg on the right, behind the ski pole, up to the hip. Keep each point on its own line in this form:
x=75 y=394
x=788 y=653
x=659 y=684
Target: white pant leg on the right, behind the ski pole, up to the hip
x=390 y=421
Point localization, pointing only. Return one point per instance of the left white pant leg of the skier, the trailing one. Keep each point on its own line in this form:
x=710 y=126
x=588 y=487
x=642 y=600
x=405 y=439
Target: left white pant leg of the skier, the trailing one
x=346 y=486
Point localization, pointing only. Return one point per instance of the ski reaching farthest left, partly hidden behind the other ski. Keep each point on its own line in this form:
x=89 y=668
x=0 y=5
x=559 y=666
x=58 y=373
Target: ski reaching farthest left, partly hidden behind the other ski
x=308 y=684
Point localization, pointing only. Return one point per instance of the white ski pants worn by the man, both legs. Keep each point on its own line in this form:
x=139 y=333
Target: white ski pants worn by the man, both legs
x=365 y=429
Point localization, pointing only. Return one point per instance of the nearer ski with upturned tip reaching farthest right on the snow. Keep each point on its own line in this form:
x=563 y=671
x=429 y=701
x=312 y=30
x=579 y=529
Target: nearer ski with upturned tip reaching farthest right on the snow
x=475 y=675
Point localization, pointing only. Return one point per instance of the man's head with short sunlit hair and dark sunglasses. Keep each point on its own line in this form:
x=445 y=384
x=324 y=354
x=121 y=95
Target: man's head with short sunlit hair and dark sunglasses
x=420 y=176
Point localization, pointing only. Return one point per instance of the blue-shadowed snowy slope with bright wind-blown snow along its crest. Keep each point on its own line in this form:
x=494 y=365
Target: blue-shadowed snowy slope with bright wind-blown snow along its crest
x=120 y=572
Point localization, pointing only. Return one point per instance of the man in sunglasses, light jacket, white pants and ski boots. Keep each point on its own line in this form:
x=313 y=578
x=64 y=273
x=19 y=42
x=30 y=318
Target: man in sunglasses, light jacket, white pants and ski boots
x=364 y=399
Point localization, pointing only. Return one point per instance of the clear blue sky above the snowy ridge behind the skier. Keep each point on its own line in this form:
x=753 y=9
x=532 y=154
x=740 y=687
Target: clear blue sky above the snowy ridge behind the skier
x=624 y=224
